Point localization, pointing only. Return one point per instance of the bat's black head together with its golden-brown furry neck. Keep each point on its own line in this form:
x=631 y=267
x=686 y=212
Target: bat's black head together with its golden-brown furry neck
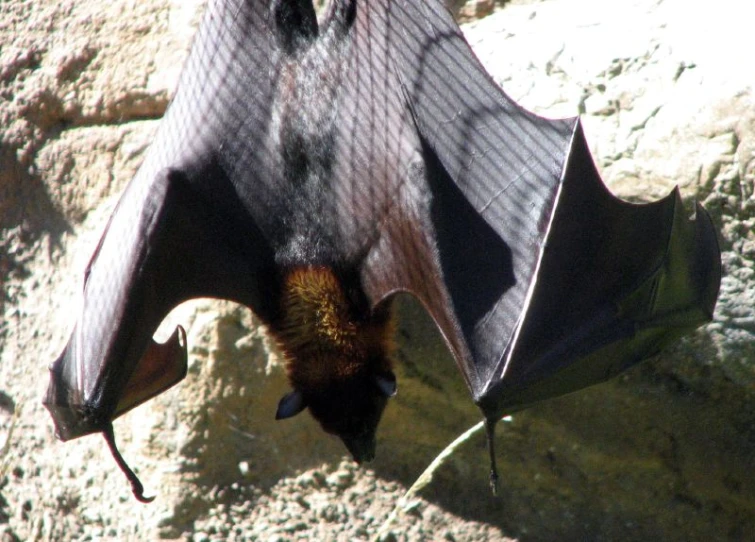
x=338 y=354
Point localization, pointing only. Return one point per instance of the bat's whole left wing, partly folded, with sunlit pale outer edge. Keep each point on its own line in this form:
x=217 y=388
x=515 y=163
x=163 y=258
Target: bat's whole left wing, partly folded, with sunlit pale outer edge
x=174 y=234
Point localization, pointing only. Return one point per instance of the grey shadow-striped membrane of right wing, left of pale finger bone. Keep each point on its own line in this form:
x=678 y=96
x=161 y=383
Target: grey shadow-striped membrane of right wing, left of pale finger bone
x=493 y=171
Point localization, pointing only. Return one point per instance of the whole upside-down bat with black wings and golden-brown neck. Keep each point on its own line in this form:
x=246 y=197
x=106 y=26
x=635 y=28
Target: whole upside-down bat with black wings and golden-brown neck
x=311 y=170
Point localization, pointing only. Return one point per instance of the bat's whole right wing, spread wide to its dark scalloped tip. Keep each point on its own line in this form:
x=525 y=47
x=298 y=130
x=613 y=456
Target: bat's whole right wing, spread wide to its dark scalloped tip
x=539 y=279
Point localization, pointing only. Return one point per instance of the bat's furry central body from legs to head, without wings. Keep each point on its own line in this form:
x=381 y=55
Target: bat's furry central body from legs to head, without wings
x=334 y=343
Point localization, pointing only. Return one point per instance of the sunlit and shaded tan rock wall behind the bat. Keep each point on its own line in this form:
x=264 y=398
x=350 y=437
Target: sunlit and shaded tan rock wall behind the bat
x=666 y=452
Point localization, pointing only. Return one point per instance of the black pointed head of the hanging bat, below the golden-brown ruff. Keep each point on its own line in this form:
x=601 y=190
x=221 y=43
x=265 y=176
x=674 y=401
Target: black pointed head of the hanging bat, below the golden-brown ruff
x=351 y=410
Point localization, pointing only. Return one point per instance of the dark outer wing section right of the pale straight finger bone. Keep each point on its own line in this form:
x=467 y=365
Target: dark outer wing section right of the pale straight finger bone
x=617 y=282
